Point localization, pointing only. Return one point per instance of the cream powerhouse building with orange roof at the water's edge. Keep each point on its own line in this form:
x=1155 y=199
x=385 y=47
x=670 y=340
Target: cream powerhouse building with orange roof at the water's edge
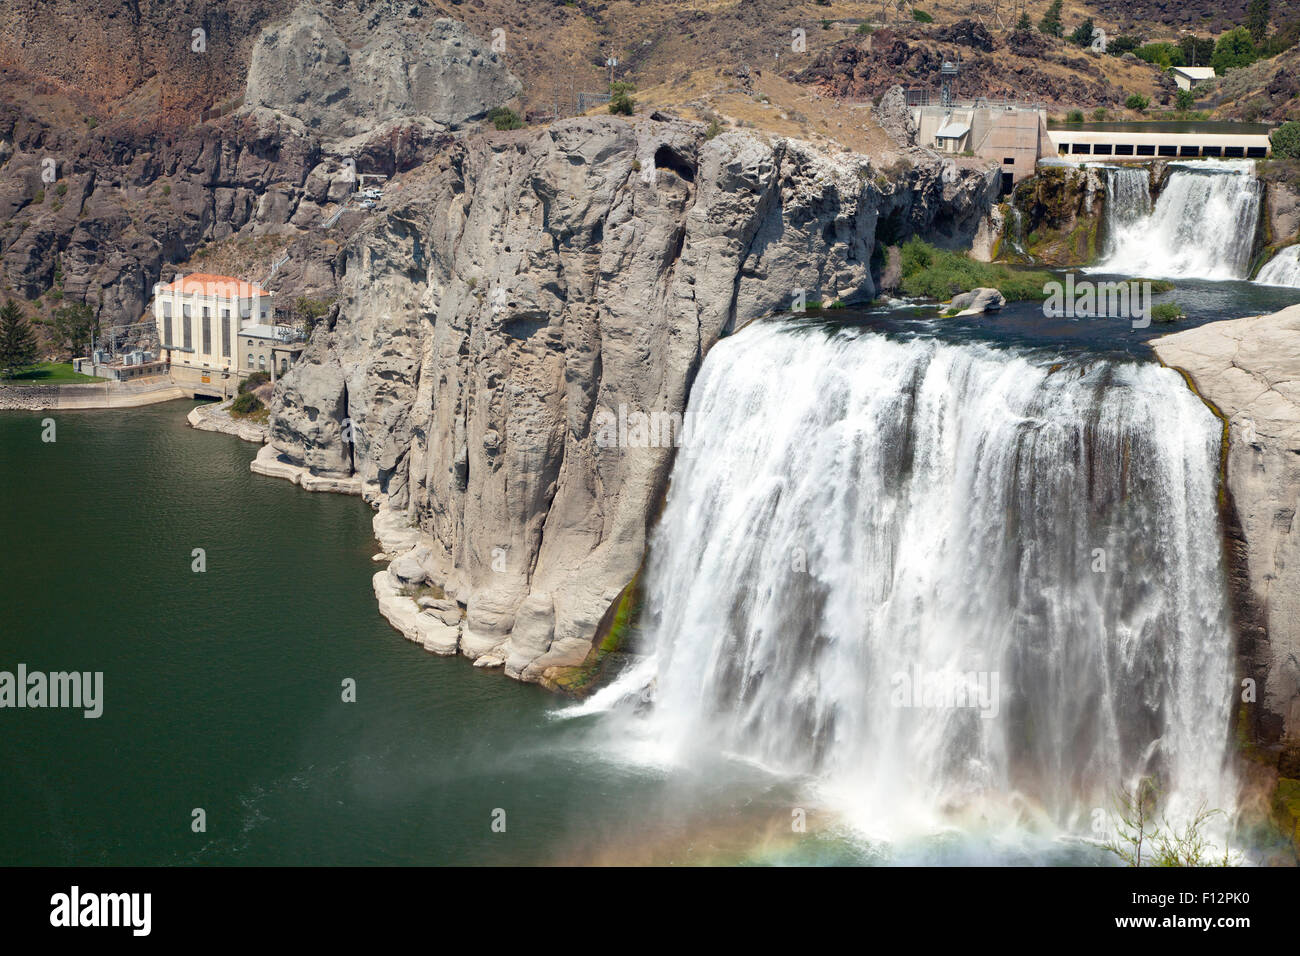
x=222 y=325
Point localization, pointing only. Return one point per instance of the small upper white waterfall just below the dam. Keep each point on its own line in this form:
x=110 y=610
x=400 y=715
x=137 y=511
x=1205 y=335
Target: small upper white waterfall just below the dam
x=1202 y=227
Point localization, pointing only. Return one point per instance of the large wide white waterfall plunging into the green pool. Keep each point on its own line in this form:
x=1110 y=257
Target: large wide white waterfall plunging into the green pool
x=855 y=514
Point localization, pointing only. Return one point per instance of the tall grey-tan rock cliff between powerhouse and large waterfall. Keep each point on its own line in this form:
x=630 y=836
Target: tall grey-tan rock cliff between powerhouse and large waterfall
x=512 y=317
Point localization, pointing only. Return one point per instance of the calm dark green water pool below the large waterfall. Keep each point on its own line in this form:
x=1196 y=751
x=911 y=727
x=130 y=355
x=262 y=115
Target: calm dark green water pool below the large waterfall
x=223 y=690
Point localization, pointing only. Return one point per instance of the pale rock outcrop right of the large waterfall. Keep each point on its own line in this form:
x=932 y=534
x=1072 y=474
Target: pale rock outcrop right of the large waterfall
x=1250 y=369
